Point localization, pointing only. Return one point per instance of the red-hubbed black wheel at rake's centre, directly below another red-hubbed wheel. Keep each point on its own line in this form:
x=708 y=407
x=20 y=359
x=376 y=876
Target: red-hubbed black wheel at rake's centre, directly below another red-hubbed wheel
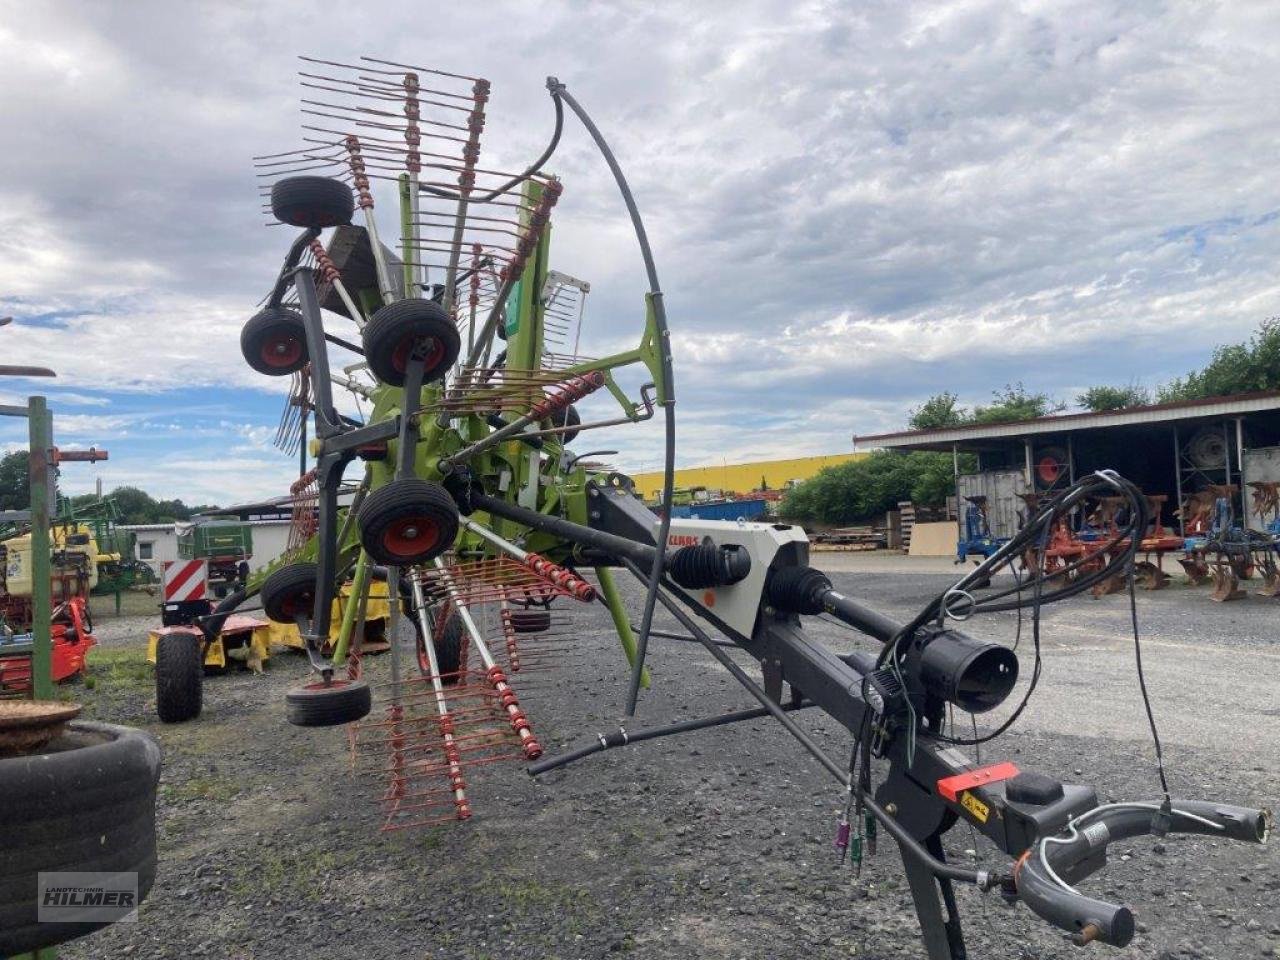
x=409 y=522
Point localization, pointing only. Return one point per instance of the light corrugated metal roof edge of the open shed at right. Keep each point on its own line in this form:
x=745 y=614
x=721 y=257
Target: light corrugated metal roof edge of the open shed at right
x=1068 y=423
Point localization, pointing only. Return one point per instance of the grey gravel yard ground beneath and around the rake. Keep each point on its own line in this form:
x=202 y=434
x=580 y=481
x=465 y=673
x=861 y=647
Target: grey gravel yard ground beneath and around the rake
x=710 y=845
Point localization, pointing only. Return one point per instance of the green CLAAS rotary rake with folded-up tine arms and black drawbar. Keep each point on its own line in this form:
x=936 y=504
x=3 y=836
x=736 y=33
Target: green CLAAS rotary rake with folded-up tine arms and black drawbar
x=483 y=523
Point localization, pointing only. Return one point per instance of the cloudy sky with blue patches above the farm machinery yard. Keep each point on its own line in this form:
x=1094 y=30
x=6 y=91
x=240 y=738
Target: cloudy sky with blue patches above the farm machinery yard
x=853 y=205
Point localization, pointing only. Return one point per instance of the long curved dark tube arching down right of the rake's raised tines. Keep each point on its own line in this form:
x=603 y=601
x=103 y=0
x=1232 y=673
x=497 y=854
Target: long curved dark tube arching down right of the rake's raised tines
x=669 y=382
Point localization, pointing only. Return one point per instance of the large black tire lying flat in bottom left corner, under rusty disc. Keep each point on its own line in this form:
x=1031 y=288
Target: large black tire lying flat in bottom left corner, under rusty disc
x=85 y=803
